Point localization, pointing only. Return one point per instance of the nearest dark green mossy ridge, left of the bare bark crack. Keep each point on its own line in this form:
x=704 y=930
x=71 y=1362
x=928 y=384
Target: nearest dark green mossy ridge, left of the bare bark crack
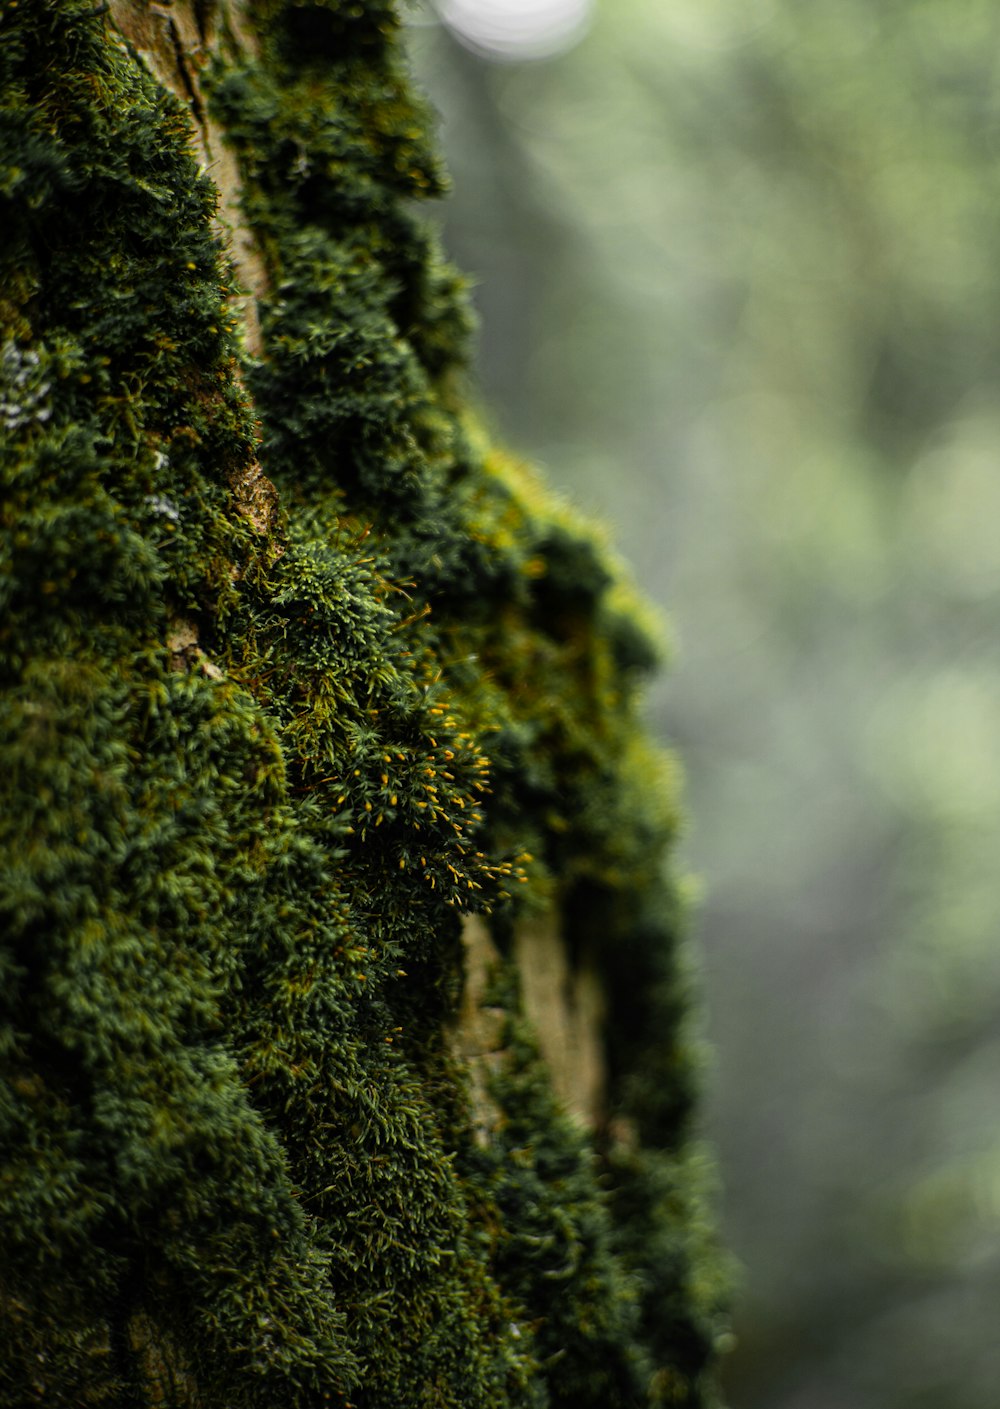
x=144 y=1201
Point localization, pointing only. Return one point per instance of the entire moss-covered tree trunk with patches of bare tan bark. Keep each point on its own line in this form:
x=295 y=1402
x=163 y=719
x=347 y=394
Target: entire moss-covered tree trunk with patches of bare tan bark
x=343 y=1021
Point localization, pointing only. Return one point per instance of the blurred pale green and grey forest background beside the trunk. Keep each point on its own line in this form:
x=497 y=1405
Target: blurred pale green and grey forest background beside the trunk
x=739 y=270
